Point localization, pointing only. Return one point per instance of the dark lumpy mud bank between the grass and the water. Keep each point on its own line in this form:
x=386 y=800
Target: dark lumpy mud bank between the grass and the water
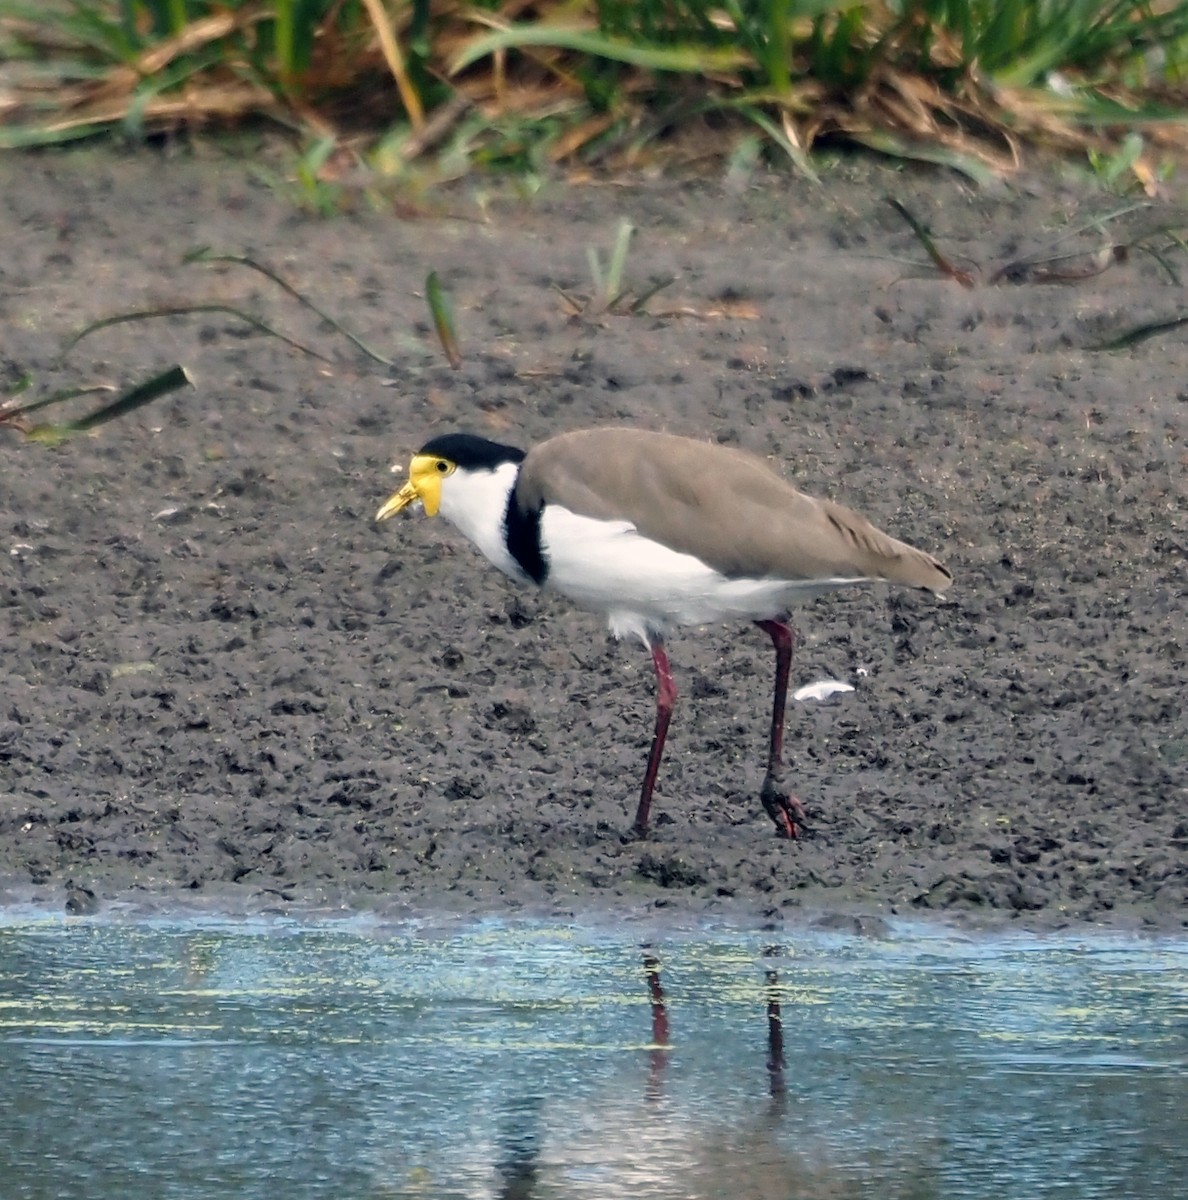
x=223 y=681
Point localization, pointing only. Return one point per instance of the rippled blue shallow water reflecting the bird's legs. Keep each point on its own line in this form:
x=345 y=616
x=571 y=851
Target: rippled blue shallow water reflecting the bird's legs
x=199 y=1058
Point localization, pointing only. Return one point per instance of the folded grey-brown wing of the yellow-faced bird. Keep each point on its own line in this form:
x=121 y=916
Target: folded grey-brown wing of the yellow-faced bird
x=725 y=507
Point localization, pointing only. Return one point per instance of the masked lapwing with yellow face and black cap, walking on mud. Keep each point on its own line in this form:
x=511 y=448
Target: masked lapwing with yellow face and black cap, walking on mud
x=658 y=532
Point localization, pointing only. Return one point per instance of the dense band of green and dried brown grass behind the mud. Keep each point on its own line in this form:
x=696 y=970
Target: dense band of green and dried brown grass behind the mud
x=392 y=85
